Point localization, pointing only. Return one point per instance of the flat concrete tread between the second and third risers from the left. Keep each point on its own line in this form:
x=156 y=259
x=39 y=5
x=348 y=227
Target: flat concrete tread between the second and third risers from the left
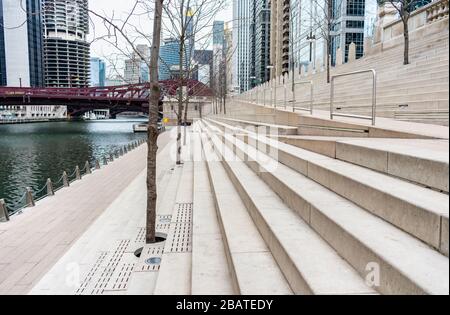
x=322 y=268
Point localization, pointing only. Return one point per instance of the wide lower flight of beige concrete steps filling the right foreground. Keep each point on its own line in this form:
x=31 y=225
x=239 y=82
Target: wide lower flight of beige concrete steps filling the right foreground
x=288 y=214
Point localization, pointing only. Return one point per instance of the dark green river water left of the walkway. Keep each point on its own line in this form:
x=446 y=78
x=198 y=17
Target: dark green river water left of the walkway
x=31 y=153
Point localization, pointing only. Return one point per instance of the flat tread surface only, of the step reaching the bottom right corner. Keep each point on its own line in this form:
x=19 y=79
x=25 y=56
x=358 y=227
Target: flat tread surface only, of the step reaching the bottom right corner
x=424 y=265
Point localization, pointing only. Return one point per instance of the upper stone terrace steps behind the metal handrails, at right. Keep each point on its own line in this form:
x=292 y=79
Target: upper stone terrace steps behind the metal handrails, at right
x=417 y=92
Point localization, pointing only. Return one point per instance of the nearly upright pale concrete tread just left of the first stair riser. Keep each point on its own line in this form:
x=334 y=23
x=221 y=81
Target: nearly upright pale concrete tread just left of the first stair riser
x=210 y=272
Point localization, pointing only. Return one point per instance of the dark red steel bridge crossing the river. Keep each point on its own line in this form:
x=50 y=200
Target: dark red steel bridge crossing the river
x=80 y=100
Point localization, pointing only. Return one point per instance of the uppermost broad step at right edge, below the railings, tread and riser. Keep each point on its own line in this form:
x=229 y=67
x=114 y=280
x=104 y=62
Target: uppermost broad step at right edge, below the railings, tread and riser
x=421 y=161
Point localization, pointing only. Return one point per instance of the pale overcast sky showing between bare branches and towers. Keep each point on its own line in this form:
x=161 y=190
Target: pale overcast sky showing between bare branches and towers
x=120 y=9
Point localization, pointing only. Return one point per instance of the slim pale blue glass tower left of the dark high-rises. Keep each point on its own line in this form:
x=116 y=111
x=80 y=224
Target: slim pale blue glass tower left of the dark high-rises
x=242 y=18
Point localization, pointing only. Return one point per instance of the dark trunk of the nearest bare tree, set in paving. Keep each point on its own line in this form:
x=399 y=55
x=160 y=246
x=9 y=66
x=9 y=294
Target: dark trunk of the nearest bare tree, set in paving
x=155 y=94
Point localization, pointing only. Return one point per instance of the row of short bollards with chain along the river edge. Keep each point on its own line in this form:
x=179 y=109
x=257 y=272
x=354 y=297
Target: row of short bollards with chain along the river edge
x=30 y=197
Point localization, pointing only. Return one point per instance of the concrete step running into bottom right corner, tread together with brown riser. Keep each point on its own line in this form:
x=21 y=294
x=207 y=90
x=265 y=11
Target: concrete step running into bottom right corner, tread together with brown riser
x=406 y=265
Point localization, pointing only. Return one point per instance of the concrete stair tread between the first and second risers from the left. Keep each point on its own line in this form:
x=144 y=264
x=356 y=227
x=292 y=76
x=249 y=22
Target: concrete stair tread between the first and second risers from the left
x=253 y=268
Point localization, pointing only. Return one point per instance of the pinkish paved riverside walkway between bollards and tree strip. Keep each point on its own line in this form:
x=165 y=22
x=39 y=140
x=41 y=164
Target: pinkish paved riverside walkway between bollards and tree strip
x=32 y=242
